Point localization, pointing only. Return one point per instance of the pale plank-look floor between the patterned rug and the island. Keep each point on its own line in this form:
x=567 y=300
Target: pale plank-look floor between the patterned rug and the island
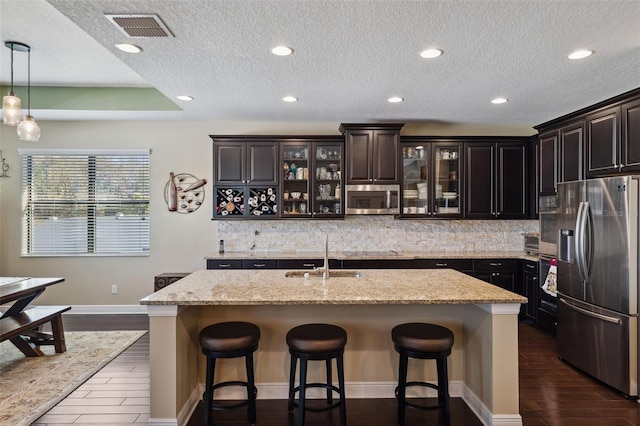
x=116 y=395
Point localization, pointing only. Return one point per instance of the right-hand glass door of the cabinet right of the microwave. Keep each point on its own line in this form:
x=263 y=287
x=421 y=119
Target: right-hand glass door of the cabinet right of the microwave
x=446 y=161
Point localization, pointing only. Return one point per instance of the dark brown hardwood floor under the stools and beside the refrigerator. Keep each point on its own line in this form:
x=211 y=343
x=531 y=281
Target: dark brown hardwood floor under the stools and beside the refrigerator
x=552 y=393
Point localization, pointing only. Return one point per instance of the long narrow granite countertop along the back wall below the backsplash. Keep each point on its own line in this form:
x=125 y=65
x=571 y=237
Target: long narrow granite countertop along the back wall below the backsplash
x=374 y=254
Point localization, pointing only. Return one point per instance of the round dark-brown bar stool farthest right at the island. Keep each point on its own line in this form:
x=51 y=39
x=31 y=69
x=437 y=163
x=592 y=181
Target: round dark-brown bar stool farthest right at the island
x=423 y=341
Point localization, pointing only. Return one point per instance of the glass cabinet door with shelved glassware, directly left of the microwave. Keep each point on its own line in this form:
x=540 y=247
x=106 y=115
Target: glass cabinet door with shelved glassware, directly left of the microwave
x=328 y=190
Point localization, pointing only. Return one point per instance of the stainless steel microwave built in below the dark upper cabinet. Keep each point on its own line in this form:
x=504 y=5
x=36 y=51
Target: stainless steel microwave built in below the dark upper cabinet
x=373 y=199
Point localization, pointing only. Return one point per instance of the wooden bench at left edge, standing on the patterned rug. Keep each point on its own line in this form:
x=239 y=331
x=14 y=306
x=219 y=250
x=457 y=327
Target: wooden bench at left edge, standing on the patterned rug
x=23 y=329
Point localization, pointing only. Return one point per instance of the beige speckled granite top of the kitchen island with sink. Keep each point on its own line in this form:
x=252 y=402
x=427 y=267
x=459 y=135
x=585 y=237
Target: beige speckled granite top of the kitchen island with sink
x=377 y=287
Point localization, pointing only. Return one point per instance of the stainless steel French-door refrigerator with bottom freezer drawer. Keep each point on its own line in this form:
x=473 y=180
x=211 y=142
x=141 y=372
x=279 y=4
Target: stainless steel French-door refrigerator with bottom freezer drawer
x=598 y=279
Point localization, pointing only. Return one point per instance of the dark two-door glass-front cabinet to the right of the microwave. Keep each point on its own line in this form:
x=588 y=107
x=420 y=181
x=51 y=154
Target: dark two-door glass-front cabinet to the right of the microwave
x=431 y=178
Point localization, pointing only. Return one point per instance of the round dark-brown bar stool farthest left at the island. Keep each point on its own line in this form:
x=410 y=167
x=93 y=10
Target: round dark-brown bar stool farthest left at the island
x=229 y=340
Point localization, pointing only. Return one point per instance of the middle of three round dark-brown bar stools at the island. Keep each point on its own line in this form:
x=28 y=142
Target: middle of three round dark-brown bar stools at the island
x=316 y=342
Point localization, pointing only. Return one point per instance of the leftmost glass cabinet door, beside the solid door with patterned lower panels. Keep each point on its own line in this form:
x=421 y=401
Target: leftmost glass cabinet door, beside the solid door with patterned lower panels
x=295 y=179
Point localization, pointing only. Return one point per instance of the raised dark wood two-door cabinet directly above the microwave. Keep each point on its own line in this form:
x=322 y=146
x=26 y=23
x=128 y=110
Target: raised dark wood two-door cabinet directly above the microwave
x=372 y=153
